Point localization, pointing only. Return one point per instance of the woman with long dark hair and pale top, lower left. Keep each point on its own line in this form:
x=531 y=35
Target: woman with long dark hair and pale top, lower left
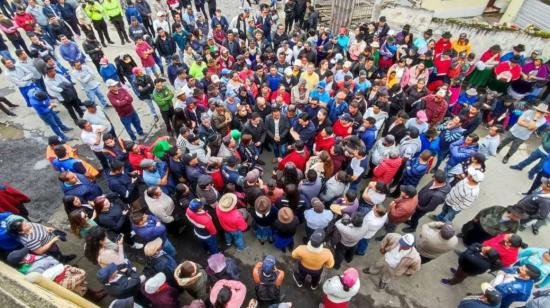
x=101 y=251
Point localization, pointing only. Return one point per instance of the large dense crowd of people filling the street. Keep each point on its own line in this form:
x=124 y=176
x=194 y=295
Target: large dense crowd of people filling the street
x=351 y=119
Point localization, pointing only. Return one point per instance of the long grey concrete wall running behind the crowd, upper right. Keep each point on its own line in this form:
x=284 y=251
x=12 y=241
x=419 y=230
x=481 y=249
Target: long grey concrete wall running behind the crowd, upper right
x=421 y=20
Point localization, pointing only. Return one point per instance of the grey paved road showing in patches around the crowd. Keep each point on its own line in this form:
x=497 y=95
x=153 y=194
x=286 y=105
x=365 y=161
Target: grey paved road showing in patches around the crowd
x=23 y=165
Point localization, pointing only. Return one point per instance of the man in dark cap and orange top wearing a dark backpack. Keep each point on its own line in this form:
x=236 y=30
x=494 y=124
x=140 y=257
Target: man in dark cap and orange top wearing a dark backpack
x=268 y=279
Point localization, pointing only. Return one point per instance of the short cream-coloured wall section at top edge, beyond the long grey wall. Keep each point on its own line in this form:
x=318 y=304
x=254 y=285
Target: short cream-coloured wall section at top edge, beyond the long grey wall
x=455 y=8
